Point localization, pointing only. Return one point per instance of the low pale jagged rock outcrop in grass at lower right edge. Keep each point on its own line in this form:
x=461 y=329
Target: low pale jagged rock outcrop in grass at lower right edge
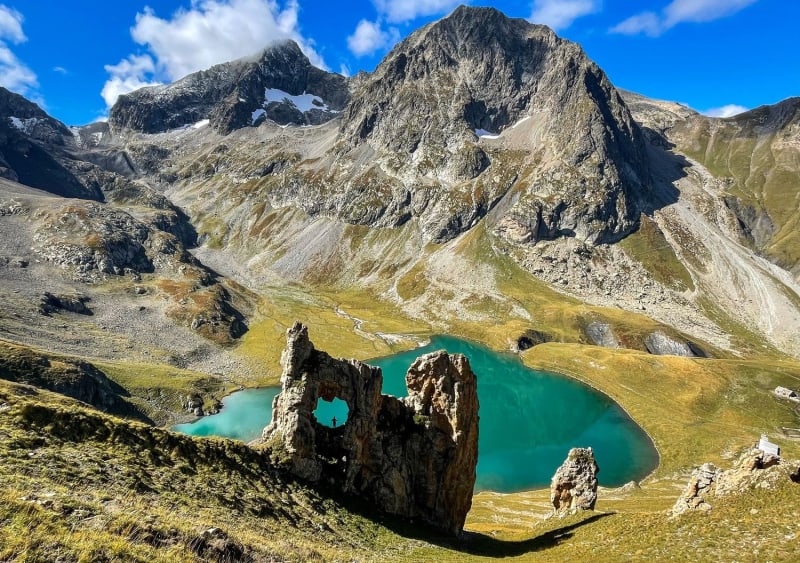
x=754 y=468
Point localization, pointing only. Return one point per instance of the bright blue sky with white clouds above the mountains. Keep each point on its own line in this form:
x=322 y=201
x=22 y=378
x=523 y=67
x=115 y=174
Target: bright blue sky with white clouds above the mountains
x=74 y=57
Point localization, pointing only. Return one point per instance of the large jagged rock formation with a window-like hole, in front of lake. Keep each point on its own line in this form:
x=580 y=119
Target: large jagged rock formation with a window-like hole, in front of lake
x=413 y=457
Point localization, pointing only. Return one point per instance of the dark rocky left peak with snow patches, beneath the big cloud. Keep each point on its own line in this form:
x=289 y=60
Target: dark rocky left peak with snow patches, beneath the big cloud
x=232 y=95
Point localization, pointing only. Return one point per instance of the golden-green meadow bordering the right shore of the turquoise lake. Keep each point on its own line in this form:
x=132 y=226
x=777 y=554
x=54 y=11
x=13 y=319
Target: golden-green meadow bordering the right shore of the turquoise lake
x=695 y=410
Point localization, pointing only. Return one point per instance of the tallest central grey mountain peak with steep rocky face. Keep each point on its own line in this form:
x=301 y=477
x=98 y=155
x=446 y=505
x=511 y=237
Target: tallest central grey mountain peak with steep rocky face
x=479 y=70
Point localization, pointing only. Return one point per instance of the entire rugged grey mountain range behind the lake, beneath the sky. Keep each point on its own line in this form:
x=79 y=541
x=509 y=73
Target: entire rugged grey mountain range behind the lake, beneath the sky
x=476 y=125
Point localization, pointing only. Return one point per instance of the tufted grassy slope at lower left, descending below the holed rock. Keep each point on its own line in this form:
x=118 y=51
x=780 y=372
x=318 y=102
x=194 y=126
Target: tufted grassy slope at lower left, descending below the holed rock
x=79 y=485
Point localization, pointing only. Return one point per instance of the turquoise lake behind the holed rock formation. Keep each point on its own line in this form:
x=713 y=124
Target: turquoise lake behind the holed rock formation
x=528 y=420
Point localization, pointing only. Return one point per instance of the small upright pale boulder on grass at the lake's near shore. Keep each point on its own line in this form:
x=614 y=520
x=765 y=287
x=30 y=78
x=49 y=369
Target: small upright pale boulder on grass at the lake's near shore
x=574 y=485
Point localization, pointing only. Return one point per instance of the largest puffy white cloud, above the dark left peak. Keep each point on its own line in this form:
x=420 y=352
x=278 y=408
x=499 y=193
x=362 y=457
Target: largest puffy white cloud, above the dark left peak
x=211 y=32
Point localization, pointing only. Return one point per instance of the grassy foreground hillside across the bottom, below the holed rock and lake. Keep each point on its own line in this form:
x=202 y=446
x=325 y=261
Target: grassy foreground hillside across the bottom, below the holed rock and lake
x=77 y=485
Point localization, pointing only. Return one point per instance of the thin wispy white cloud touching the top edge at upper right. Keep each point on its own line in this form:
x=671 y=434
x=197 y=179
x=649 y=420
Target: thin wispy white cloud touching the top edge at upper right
x=679 y=11
